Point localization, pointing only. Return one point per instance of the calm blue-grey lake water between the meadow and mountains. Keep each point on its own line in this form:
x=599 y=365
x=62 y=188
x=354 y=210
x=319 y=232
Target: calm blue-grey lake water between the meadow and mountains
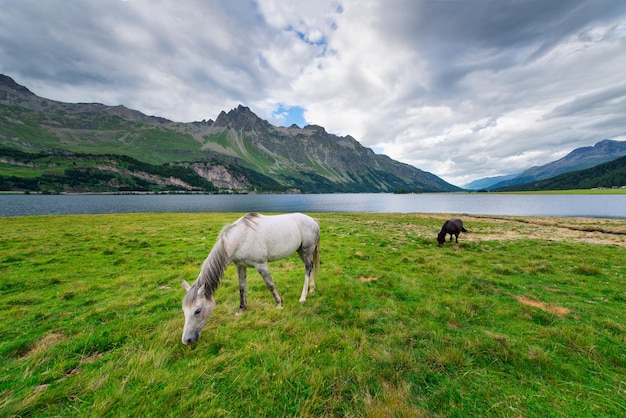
x=598 y=206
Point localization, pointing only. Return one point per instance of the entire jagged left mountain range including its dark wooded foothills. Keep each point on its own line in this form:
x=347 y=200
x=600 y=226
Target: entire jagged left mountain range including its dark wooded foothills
x=238 y=151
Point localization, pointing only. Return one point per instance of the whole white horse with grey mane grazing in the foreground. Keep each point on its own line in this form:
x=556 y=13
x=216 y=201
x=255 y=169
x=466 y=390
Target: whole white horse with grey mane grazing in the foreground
x=251 y=241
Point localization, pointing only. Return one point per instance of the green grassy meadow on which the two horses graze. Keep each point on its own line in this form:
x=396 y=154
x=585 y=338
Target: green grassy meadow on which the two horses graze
x=497 y=325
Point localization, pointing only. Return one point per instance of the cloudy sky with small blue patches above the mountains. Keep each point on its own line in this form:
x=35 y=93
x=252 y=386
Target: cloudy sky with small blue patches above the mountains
x=464 y=89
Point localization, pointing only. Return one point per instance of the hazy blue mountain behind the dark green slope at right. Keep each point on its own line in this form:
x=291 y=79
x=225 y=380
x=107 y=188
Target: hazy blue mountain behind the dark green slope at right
x=579 y=159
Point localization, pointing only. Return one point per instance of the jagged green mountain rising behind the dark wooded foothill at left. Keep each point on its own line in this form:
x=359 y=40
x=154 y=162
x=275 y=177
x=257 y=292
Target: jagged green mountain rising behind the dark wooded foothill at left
x=238 y=144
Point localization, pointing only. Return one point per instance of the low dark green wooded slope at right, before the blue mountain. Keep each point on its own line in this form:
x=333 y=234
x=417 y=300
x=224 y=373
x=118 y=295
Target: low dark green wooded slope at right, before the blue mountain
x=608 y=175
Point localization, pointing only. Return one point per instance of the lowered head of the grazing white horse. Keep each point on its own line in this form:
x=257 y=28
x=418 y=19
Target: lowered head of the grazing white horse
x=197 y=309
